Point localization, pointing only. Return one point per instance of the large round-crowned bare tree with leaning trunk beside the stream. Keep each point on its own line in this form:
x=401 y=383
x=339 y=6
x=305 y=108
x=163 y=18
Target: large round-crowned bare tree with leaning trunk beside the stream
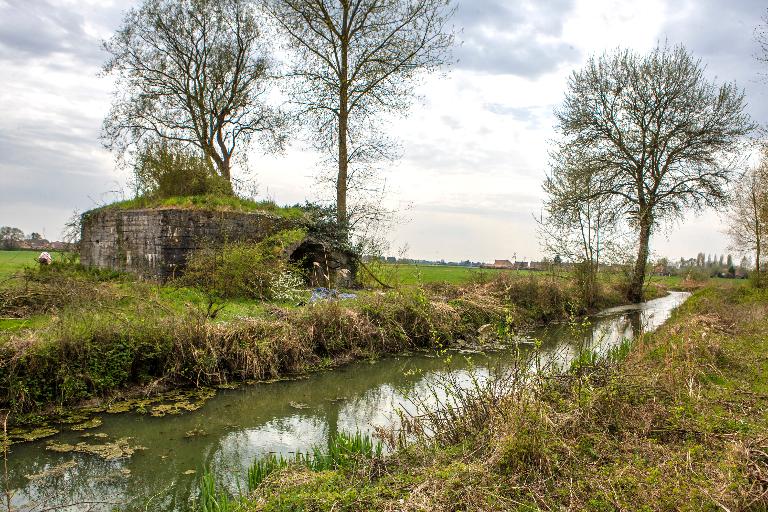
x=658 y=136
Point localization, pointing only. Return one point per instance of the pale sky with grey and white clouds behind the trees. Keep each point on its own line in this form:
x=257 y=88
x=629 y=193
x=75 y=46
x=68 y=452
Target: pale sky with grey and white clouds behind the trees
x=474 y=146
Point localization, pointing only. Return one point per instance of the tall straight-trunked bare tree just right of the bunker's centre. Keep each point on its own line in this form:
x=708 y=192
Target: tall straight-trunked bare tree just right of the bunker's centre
x=354 y=61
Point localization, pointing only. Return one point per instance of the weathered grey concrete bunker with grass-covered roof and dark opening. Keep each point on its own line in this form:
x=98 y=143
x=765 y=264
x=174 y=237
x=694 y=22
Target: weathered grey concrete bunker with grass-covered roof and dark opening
x=155 y=242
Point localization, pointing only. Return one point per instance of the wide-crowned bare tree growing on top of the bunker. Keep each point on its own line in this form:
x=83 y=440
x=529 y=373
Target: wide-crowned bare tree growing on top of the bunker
x=192 y=72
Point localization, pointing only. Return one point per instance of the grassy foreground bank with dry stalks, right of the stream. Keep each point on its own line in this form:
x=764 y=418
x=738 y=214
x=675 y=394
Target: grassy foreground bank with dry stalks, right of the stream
x=677 y=424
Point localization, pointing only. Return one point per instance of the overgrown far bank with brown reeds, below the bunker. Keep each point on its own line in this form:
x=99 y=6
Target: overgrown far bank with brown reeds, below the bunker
x=74 y=335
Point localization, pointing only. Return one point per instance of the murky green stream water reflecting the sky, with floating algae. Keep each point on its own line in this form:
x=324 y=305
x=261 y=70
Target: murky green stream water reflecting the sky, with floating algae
x=283 y=417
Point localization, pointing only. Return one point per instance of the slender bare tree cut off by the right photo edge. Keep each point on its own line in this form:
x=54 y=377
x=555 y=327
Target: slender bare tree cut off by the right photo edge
x=748 y=216
